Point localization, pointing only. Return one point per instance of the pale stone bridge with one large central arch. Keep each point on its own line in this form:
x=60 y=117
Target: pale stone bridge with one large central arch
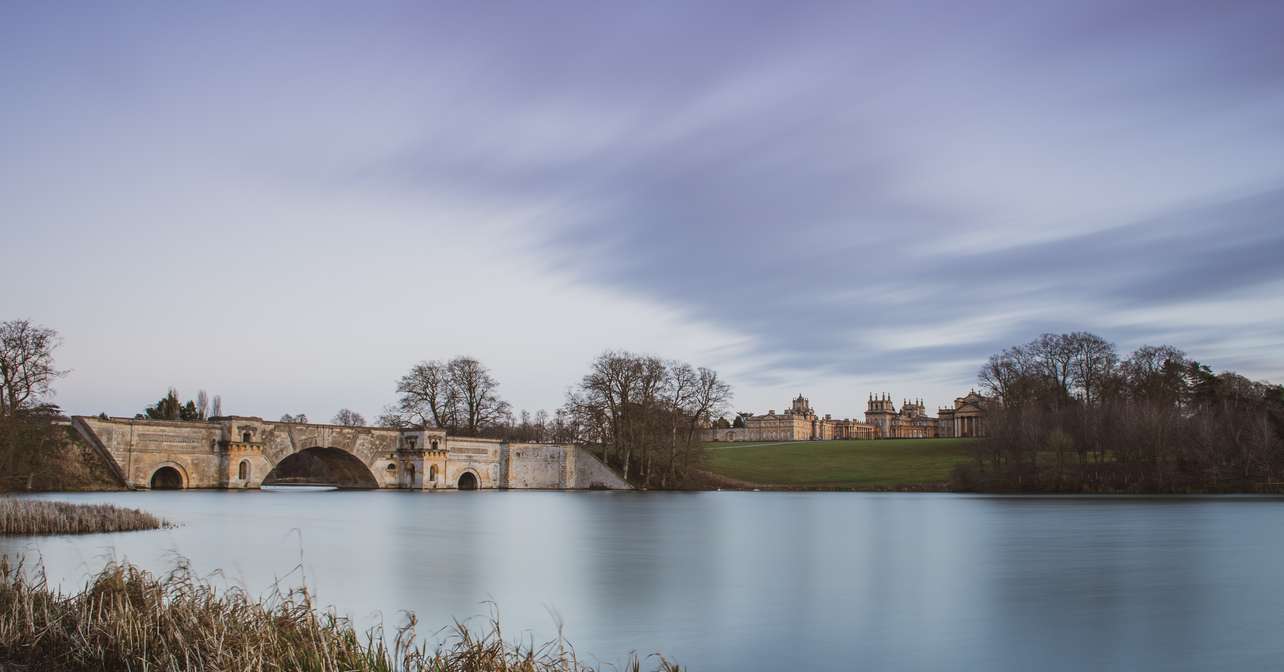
x=243 y=453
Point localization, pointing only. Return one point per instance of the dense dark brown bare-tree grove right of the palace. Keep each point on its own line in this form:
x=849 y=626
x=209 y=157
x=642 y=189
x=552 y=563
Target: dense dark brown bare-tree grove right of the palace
x=1068 y=413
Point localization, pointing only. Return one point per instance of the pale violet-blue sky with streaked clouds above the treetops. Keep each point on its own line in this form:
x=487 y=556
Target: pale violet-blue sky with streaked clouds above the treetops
x=291 y=204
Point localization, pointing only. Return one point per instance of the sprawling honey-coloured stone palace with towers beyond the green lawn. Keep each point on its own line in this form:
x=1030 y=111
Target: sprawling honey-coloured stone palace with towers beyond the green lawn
x=883 y=421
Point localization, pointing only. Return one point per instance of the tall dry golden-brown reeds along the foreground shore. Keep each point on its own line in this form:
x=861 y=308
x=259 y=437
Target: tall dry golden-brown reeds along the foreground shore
x=128 y=620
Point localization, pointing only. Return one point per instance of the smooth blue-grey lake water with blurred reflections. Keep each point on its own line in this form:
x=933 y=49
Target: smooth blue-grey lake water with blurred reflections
x=757 y=581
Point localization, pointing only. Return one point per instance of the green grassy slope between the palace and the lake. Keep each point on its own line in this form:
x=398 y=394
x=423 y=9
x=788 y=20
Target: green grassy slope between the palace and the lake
x=847 y=464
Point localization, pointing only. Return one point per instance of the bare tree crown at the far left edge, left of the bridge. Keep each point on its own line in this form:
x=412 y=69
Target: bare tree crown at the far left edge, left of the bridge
x=28 y=369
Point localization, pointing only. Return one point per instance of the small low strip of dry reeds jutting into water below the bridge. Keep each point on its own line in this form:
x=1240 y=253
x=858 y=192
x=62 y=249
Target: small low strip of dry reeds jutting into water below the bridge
x=40 y=517
